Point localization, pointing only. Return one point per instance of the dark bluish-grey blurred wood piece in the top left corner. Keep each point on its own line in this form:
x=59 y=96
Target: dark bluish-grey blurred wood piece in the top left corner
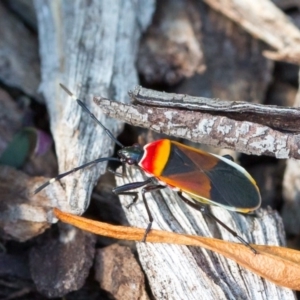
x=19 y=67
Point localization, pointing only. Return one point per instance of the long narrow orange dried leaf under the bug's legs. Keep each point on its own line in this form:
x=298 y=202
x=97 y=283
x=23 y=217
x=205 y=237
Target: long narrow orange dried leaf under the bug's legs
x=277 y=264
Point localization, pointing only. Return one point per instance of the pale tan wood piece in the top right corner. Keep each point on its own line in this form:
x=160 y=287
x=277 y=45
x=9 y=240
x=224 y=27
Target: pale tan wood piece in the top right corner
x=265 y=21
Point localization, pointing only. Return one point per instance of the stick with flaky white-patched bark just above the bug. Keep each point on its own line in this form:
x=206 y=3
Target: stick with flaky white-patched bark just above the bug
x=215 y=130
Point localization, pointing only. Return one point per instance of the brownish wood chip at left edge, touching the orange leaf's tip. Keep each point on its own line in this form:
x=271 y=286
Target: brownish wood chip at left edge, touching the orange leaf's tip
x=21 y=217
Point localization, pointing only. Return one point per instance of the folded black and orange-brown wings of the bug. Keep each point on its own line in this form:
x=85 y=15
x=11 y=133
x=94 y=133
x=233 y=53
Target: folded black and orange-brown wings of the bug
x=210 y=179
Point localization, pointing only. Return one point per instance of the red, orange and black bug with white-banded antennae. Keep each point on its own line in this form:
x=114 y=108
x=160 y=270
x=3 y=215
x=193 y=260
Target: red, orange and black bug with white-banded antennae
x=206 y=178
